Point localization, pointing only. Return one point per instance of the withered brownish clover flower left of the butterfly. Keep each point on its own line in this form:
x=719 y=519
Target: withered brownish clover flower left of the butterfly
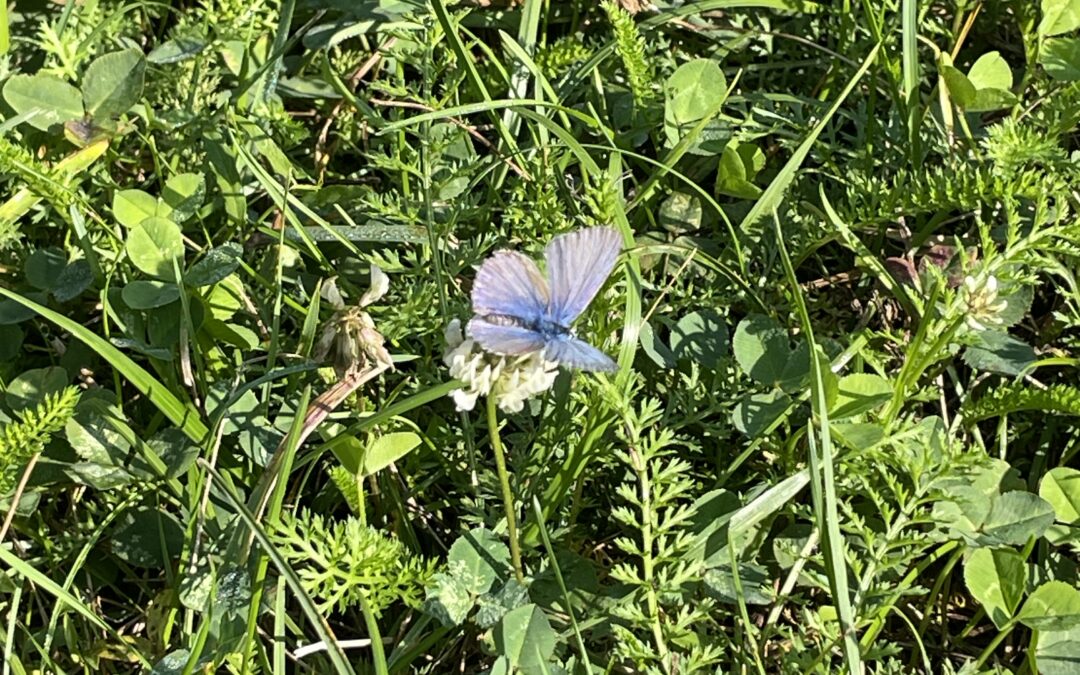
x=350 y=339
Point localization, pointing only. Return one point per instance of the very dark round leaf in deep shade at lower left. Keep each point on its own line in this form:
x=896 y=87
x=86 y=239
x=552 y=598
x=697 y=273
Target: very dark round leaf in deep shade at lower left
x=151 y=538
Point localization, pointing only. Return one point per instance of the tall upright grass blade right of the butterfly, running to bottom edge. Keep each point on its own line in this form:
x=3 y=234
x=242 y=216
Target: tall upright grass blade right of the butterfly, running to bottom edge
x=822 y=479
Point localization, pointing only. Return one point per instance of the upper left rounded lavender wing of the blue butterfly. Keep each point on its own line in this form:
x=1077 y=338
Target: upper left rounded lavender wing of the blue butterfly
x=510 y=285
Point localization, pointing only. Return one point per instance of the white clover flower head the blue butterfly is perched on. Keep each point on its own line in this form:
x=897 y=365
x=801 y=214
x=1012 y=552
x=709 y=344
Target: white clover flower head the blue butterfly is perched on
x=512 y=381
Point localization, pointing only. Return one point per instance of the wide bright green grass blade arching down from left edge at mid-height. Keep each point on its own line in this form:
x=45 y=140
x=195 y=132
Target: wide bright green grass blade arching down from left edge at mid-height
x=184 y=416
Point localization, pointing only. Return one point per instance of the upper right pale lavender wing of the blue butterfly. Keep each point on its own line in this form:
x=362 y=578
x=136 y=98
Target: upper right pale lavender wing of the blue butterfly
x=578 y=265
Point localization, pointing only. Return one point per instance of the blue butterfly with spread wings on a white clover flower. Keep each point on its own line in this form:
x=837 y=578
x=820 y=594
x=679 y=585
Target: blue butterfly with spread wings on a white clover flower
x=518 y=312
